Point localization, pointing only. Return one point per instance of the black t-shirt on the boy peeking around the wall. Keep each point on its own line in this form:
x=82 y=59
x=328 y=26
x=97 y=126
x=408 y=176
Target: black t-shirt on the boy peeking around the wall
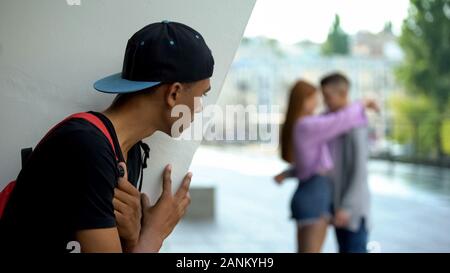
x=66 y=185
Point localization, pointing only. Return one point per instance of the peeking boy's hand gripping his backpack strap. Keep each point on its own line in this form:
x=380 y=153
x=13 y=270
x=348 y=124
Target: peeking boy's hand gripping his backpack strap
x=128 y=211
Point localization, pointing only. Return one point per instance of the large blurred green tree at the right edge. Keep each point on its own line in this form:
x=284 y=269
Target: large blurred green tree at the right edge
x=425 y=40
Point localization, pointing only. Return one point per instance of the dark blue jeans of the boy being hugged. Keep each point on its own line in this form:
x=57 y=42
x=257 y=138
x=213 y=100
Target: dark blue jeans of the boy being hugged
x=352 y=242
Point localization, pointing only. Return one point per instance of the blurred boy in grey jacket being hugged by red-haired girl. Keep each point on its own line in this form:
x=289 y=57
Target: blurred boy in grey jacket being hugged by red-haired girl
x=351 y=190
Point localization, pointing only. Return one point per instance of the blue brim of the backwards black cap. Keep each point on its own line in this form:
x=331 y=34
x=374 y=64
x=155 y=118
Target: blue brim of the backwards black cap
x=114 y=84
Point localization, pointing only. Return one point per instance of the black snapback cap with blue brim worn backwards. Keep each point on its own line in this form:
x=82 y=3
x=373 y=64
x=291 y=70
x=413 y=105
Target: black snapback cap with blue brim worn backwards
x=163 y=52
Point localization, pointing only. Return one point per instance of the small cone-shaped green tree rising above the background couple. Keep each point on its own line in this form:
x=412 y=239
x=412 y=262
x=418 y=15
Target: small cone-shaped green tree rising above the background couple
x=337 y=41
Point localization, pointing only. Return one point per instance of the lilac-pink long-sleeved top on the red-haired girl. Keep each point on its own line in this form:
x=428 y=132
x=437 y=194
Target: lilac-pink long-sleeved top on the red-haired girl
x=312 y=133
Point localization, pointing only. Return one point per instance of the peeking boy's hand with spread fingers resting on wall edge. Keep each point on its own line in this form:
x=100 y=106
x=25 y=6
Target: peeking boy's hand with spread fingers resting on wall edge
x=159 y=221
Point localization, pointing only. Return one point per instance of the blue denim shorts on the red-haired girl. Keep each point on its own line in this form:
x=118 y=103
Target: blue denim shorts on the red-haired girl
x=312 y=200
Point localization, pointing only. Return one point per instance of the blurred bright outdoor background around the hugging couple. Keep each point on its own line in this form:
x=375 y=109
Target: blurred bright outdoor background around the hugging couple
x=397 y=52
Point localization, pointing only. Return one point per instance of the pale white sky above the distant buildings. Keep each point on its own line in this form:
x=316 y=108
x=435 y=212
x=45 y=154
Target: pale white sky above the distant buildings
x=291 y=21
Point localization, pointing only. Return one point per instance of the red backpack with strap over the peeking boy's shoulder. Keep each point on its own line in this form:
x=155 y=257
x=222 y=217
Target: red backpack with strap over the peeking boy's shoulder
x=5 y=194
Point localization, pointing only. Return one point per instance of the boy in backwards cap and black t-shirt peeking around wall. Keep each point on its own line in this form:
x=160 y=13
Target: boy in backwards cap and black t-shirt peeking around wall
x=73 y=188
